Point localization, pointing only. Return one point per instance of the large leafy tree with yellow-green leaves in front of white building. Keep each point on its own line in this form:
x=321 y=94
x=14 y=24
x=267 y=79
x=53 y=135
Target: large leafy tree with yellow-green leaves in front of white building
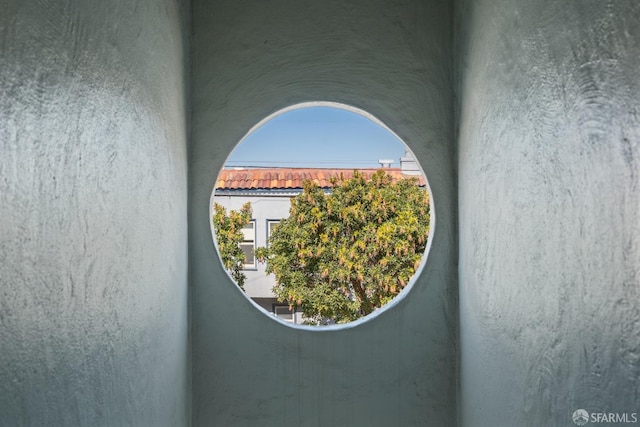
x=342 y=255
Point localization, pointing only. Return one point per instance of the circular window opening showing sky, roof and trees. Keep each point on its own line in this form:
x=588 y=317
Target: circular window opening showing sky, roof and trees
x=321 y=215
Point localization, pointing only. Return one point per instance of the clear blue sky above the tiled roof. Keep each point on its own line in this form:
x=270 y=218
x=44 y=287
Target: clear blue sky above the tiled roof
x=317 y=137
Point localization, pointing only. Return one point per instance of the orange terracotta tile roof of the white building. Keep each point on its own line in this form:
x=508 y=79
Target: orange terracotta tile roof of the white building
x=290 y=178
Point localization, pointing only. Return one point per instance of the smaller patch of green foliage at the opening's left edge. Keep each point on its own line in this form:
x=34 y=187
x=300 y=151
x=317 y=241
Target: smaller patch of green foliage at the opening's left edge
x=228 y=230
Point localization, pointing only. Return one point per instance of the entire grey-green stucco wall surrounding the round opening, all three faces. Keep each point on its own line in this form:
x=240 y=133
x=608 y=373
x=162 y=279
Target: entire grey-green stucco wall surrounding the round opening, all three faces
x=523 y=114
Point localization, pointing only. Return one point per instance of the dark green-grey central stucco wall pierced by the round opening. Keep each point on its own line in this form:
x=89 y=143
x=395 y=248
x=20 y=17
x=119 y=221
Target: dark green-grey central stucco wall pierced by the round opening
x=391 y=59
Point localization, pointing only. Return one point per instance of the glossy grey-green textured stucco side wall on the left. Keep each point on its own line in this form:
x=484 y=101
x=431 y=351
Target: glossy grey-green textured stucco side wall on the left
x=93 y=177
